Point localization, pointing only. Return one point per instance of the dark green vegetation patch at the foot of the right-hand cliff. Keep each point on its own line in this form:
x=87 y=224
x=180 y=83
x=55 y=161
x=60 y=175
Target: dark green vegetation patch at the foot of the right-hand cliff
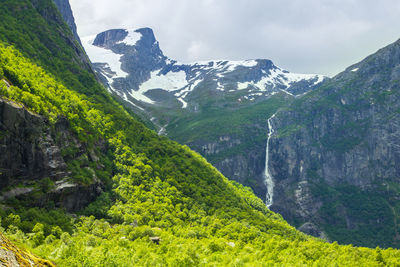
x=375 y=221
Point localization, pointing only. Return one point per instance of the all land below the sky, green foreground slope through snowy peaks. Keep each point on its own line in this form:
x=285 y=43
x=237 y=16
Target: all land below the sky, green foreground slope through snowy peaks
x=97 y=166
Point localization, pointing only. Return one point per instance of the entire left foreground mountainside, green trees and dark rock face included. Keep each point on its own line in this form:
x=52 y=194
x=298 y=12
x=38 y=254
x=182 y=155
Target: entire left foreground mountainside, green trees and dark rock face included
x=162 y=204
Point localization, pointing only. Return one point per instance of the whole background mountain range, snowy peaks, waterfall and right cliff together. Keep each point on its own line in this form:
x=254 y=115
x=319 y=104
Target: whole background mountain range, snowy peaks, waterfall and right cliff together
x=247 y=119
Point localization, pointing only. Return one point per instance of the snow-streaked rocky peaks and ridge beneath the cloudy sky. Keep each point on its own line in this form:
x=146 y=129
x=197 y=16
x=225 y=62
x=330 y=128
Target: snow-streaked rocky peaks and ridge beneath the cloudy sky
x=133 y=66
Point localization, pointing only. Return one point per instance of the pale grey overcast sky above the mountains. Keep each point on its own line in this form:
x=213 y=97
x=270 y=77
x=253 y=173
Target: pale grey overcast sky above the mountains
x=305 y=36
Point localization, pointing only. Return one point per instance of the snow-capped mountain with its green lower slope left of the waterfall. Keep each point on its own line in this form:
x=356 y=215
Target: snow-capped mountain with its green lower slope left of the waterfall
x=211 y=106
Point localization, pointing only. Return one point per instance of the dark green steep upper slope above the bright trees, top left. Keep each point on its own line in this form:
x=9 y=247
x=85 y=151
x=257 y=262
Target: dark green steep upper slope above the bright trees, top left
x=37 y=30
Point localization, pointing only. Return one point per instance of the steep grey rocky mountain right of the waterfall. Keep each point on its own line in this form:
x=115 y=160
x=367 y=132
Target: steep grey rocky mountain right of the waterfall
x=334 y=155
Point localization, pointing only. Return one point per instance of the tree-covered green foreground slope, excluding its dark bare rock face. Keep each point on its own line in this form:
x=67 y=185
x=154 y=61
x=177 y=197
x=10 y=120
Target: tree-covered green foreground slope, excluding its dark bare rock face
x=157 y=188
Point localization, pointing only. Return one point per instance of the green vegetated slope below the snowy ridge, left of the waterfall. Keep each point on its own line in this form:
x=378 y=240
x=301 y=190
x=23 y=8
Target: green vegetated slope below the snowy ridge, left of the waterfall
x=231 y=120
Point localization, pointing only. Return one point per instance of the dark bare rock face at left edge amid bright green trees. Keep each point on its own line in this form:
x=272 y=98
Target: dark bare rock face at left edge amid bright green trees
x=32 y=164
